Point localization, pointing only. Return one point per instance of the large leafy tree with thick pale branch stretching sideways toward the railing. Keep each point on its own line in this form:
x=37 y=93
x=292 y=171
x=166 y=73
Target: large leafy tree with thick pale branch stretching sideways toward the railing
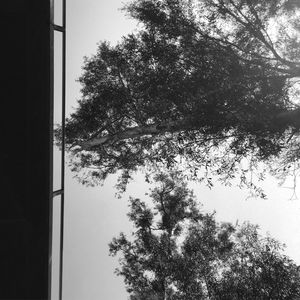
x=206 y=82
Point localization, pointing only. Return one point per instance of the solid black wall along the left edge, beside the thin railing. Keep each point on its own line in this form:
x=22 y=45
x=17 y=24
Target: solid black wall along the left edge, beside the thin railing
x=25 y=152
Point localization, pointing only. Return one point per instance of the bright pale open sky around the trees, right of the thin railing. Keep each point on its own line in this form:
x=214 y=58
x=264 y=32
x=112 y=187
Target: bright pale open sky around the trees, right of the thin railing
x=93 y=216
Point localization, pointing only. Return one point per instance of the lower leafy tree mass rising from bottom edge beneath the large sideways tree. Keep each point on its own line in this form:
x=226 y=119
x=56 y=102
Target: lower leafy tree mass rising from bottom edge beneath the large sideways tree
x=177 y=252
